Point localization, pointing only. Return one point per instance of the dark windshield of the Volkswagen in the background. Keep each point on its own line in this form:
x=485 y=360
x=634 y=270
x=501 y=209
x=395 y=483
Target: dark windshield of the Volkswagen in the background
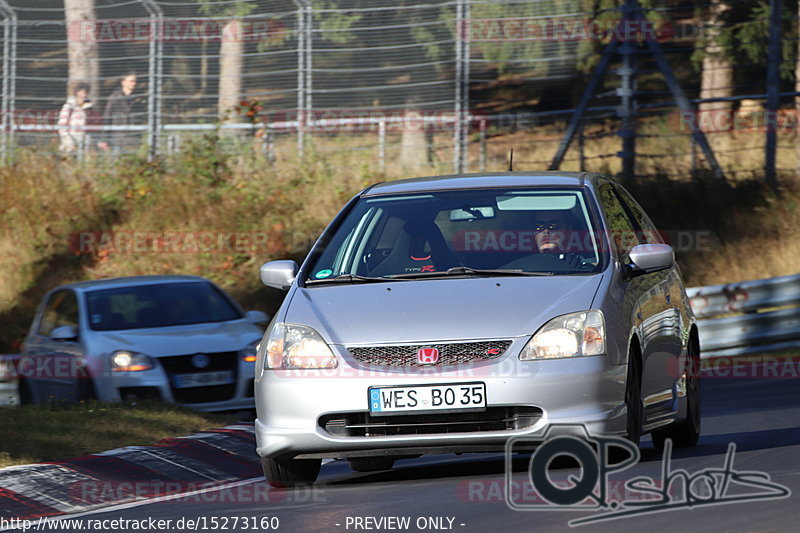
x=163 y=304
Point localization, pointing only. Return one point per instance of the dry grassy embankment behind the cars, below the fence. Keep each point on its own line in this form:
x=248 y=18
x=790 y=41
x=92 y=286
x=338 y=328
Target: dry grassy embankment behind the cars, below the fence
x=729 y=233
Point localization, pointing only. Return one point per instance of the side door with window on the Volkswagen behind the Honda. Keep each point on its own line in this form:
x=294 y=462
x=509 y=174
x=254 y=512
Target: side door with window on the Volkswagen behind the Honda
x=53 y=364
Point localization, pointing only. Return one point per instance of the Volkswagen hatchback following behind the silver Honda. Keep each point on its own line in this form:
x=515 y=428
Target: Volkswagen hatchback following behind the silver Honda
x=174 y=338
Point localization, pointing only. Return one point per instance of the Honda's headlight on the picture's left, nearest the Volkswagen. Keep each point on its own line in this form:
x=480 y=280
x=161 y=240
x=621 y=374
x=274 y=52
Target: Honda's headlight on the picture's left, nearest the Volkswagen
x=291 y=346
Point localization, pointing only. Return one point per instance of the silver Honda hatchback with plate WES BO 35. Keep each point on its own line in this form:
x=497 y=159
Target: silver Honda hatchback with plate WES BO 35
x=447 y=314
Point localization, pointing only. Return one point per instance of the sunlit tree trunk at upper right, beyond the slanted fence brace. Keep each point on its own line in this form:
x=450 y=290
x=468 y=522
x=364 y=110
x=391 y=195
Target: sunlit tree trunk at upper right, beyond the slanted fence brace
x=717 y=74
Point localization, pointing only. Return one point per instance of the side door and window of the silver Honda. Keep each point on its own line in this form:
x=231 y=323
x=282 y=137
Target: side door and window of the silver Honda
x=646 y=295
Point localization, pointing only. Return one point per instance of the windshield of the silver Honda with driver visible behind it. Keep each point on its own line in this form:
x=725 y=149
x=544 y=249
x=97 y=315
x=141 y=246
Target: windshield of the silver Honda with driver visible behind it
x=467 y=232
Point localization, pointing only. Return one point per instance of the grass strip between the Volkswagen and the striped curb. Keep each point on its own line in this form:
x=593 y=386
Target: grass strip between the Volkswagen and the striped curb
x=36 y=433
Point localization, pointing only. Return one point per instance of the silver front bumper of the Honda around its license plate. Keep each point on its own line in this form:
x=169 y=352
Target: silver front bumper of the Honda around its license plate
x=292 y=405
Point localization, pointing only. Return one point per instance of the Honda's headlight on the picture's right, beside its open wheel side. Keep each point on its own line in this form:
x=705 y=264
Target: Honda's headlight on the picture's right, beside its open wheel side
x=570 y=335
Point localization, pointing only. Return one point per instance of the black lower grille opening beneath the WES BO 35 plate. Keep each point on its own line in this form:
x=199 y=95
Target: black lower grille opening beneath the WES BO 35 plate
x=492 y=419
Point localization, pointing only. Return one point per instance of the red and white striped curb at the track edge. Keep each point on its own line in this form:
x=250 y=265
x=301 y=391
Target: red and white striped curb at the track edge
x=172 y=467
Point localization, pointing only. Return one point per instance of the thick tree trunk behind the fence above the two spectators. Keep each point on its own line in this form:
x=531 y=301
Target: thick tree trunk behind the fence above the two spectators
x=81 y=48
